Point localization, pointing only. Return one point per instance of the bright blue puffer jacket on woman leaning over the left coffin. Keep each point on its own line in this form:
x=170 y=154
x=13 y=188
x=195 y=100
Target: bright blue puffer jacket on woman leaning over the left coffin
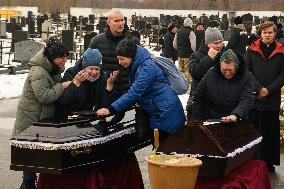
x=150 y=88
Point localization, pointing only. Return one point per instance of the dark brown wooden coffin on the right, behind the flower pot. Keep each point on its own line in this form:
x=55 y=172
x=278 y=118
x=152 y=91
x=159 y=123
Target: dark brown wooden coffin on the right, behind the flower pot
x=221 y=147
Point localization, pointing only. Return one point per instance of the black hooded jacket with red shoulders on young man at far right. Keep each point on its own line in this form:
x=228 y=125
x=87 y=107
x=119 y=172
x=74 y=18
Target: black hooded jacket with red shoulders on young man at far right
x=268 y=73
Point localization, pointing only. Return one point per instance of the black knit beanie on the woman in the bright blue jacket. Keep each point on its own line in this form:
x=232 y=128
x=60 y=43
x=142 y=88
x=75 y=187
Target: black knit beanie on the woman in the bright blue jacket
x=126 y=48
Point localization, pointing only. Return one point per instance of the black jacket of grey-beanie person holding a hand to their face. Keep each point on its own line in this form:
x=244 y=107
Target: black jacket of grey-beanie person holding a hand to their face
x=199 y=64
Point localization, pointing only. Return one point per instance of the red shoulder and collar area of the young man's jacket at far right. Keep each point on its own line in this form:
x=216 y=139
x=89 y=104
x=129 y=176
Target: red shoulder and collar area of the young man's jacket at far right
x=279 y=48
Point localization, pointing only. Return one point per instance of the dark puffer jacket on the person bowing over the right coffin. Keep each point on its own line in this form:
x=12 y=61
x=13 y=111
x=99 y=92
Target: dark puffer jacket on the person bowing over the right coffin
x=217 y=96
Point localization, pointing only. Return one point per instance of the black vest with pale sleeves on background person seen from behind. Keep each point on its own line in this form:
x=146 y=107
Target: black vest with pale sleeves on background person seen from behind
x=183 y=42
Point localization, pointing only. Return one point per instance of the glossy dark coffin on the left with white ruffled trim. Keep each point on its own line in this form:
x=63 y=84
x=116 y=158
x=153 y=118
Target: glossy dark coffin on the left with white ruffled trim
x=55 y=146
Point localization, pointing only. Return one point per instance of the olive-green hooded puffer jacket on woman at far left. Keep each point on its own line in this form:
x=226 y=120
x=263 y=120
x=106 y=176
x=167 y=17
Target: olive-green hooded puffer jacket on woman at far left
x=41 y=90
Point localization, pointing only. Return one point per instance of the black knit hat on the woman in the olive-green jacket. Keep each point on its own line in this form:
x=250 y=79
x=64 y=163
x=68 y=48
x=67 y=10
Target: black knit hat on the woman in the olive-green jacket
x=55 y=49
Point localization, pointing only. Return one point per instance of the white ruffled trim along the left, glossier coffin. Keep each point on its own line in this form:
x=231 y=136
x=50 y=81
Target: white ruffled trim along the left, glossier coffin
x=71 y=145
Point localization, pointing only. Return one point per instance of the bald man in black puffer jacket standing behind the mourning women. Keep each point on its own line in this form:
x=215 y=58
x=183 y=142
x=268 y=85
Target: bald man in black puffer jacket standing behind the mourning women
x=106 y=43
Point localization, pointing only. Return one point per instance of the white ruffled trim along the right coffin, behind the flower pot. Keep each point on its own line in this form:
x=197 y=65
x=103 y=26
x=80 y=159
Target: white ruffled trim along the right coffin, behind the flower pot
x=229 y=155
